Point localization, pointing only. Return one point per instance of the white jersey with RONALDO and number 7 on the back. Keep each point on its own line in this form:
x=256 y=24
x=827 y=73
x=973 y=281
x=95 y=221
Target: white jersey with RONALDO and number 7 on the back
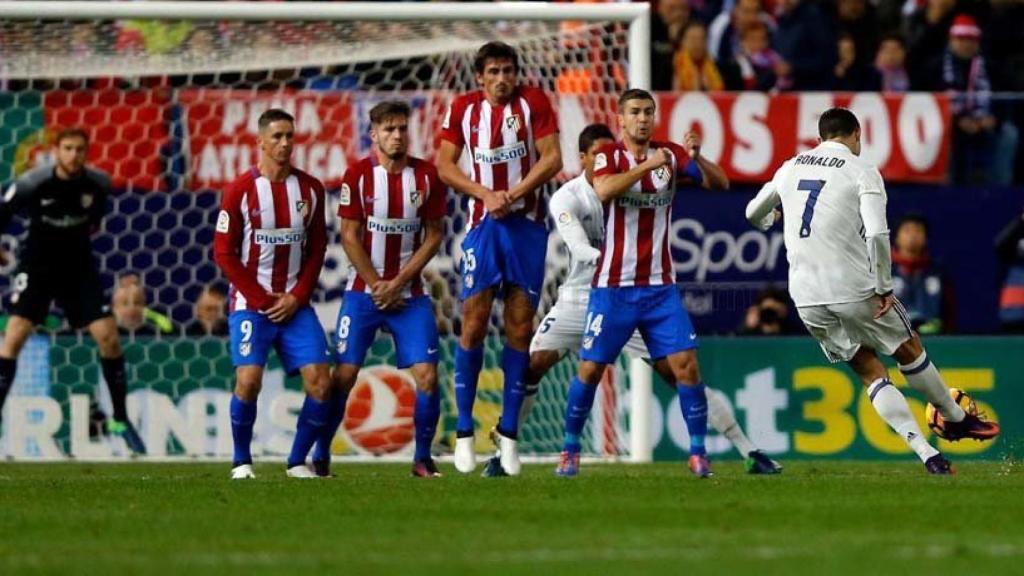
x=836 y=234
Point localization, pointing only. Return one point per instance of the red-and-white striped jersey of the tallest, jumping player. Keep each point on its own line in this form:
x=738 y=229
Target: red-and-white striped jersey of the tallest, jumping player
x=501 y=143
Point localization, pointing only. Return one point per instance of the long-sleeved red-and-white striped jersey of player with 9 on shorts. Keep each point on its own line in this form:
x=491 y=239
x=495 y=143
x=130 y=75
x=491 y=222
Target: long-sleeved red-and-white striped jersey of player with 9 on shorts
x=271 y=238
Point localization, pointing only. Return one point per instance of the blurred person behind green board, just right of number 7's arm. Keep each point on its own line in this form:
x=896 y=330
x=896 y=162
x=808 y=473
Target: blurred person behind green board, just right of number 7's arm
x=918 y=278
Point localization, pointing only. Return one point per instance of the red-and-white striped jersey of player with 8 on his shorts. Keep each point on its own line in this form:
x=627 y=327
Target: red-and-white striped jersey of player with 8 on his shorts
x=393 y=209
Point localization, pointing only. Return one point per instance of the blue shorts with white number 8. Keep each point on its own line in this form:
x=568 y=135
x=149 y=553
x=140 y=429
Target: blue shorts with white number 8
x=413 y=328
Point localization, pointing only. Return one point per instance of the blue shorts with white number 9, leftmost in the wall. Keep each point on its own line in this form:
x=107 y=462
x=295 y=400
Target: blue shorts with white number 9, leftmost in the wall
x=300 y=343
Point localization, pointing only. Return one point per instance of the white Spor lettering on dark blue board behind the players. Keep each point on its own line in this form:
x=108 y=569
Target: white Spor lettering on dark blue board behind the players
x=699 y=252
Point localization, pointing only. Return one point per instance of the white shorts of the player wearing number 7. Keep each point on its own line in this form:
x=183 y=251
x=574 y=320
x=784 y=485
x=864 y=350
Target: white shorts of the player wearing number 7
x=842 y=330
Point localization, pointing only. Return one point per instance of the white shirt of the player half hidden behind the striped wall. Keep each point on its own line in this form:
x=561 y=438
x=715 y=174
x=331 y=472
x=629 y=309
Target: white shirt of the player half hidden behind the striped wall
x=580 y=220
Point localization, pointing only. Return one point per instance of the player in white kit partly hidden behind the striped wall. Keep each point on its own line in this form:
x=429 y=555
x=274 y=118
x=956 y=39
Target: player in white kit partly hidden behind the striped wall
x=579 y=216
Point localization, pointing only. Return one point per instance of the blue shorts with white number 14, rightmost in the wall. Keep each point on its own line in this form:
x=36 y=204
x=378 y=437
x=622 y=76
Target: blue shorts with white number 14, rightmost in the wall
x=656 y=311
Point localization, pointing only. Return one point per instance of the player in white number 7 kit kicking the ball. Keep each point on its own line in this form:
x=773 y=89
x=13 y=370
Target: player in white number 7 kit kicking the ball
x=837 y=240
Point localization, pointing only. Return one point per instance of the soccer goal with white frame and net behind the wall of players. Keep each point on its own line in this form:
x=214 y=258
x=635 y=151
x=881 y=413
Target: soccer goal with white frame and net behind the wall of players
x=170 y=94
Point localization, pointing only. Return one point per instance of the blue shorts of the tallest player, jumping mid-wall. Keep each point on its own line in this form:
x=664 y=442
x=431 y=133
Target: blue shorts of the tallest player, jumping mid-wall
x=505 y=253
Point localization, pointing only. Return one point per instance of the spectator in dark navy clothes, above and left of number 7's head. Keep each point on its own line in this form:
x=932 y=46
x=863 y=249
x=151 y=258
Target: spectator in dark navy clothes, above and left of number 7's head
x=806 y=40
